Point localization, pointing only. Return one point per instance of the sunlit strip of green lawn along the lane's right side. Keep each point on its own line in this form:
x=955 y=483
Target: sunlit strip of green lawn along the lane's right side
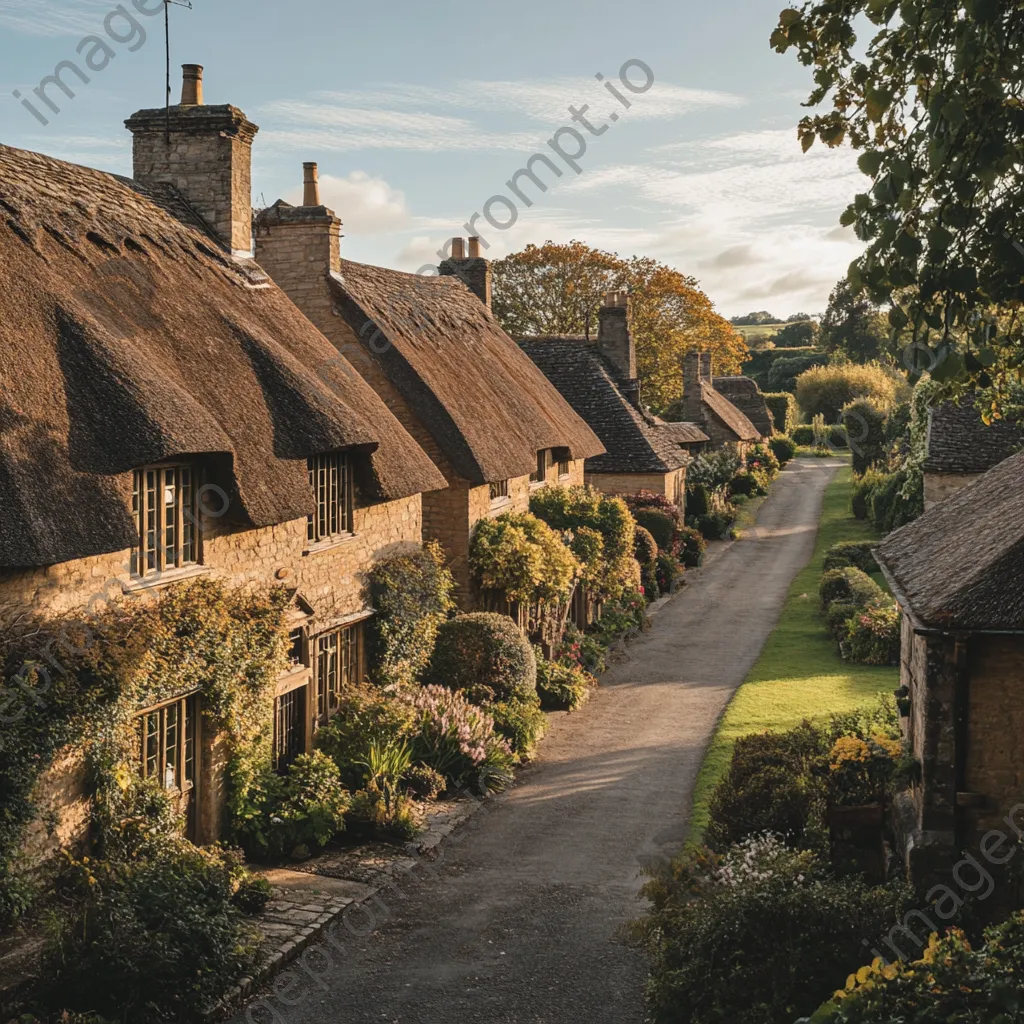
x=799 y=674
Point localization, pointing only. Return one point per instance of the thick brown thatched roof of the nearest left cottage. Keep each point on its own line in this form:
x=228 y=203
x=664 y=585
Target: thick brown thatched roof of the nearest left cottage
x=129 y=337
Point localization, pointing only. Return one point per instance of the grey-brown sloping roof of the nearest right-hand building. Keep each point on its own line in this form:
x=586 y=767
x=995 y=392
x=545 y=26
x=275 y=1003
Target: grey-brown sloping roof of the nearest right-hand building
x=961 y=566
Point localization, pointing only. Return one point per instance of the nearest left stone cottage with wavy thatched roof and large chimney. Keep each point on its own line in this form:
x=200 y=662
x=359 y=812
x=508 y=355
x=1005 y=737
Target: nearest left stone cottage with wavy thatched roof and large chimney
x=166 y=413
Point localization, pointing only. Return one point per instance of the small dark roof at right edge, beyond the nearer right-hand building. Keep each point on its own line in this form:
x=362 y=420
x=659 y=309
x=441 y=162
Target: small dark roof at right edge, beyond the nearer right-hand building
x=960 y=443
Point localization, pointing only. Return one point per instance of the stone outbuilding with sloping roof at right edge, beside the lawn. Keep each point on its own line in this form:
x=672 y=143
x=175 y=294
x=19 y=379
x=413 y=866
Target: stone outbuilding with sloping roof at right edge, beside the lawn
x=958 y=574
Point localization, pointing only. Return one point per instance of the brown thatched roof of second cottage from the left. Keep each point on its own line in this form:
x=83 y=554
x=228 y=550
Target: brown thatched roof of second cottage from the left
x=487 y=406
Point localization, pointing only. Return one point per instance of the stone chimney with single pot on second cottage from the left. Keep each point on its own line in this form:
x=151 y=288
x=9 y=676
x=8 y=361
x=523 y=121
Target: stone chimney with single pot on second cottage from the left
x=301 y=247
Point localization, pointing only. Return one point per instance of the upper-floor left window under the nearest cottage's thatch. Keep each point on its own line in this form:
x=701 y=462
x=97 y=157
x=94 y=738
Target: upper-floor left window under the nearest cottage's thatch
x=165 y=511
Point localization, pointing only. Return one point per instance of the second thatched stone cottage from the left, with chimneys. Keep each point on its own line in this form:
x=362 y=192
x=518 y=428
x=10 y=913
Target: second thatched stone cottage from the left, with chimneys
x=432 y=349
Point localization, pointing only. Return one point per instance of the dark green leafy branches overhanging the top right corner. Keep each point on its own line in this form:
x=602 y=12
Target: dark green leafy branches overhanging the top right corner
x=935 y=102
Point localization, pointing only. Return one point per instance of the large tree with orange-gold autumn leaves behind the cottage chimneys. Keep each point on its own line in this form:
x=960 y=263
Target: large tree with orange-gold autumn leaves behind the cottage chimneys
x=559 y=290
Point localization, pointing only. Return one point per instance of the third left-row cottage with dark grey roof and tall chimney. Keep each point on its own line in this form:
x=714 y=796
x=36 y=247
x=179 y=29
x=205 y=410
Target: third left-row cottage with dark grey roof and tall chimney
x=600 y=381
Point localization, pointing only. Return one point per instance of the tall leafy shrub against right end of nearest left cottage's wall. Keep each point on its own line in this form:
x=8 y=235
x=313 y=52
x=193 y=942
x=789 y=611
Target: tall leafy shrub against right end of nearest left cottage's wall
x=413 y=595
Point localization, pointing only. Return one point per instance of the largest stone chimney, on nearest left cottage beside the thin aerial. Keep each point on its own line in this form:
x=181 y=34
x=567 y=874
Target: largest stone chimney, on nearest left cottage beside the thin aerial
x=206 y=154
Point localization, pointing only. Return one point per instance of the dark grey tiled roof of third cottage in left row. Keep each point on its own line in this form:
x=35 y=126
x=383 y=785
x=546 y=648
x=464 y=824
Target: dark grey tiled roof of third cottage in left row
x=633 y=443
